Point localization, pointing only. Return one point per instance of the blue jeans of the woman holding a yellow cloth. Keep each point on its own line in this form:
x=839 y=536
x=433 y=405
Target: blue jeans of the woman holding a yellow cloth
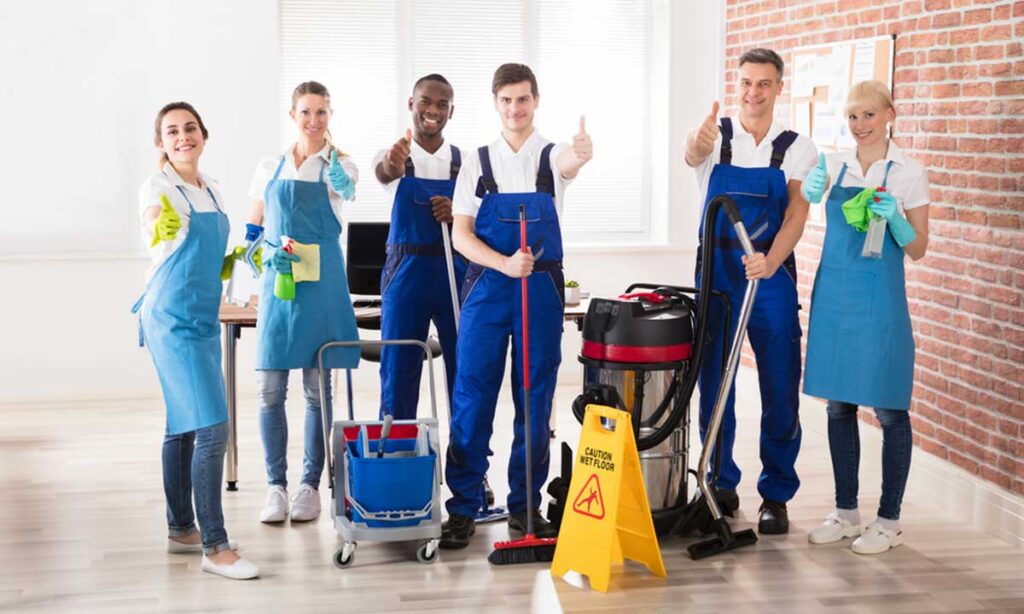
x=274 y=426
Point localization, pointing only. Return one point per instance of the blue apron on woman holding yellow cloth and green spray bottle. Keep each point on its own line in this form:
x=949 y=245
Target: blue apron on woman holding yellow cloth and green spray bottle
x=290 y=333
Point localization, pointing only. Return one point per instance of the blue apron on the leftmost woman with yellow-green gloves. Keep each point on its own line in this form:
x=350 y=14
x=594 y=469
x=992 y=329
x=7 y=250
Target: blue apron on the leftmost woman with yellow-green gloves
x=180 y=323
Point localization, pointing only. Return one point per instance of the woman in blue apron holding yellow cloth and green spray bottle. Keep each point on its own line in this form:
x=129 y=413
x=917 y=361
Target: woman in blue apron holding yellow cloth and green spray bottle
x=300 y=195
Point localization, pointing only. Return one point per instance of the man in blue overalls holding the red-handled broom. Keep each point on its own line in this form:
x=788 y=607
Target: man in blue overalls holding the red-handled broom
x=520 y=169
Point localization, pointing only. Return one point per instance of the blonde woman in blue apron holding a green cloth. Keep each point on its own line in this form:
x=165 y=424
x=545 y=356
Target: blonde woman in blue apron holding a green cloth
x=861 y=344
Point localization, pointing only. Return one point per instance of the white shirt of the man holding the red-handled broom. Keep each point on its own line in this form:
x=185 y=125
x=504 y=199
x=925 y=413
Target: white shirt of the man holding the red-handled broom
x=515 y=172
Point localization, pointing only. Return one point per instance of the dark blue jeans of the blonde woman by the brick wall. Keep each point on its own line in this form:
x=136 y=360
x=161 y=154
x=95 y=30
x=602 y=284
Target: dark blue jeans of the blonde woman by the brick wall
x=844 y=442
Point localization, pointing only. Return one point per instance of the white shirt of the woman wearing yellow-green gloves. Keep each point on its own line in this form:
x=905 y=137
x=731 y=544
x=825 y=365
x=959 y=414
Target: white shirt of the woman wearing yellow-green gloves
x=166 y=183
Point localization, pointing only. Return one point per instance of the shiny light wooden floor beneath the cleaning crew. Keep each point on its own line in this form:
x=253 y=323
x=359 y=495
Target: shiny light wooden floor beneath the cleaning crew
x=82 y=530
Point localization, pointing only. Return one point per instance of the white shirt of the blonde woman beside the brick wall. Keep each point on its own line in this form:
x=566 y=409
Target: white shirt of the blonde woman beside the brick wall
x=908 y=179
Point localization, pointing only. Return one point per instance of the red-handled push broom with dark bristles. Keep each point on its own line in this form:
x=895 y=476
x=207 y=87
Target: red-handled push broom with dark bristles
x=530 y=548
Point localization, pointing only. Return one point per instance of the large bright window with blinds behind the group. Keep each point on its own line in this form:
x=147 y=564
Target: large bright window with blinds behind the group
x=591 y=59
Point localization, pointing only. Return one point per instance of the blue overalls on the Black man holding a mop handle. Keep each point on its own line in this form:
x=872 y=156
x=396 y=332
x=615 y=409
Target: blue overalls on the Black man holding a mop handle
x=415 y=290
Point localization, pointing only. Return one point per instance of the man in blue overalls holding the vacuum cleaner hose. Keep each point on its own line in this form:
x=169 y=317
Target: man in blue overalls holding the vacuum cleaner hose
x=761 y=166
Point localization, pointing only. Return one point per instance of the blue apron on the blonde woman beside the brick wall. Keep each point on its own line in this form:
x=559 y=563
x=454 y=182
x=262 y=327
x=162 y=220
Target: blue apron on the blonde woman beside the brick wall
x=861 y=342
